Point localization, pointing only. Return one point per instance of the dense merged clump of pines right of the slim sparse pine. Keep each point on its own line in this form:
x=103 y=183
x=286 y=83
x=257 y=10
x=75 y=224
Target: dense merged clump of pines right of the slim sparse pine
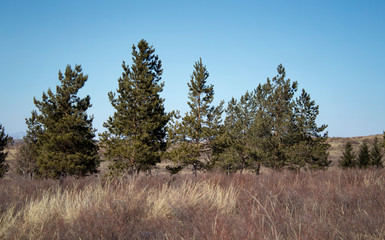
x=274 y=128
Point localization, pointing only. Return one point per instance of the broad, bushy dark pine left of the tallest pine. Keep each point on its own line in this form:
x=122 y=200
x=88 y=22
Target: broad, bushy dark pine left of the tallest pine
x=66 y=145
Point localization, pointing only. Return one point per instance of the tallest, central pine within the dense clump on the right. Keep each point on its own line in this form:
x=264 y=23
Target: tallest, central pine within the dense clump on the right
x=275 y=102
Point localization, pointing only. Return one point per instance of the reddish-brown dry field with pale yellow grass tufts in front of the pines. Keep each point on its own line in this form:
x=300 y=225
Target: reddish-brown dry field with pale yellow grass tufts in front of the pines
x=330 y=204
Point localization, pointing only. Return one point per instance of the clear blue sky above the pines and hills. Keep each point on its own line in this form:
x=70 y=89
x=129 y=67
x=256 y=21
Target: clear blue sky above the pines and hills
x=334 y=49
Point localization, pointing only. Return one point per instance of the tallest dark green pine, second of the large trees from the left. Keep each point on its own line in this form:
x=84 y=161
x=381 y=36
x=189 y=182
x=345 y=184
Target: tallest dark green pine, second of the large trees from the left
x=135 y=136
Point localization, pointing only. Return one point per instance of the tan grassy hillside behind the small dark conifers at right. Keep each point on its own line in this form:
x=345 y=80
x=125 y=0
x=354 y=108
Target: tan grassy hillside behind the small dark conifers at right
x=337 y=145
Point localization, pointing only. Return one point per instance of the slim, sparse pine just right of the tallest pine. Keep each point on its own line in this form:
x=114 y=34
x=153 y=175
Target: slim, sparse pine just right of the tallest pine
x=194 y=135
